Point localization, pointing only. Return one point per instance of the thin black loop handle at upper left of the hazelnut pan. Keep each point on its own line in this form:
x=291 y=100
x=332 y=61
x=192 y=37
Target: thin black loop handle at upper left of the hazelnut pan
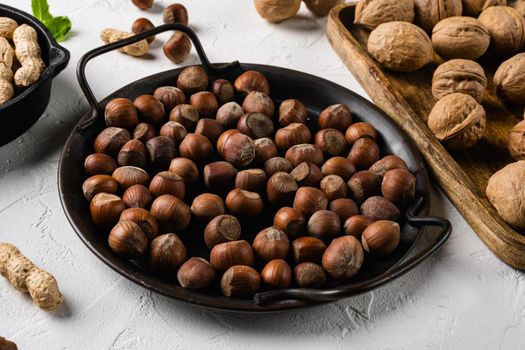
x=81 y=67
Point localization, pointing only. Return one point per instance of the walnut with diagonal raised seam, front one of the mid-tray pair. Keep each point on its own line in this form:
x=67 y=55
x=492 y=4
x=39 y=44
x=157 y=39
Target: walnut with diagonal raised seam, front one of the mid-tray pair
x=458 y=121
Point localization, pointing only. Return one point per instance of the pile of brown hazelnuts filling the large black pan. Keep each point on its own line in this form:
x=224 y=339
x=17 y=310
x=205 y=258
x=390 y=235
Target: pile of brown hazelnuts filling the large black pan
x=220 y=164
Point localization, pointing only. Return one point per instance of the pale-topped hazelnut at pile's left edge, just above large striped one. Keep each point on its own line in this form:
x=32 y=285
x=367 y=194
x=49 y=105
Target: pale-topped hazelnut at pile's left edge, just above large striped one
x=106 y=208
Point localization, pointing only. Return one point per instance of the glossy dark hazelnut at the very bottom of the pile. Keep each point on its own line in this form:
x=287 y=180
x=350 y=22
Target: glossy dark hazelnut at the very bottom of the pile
x=240 y=281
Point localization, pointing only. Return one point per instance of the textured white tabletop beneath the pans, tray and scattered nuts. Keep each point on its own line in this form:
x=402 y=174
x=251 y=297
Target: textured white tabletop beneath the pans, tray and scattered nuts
x=463 y=297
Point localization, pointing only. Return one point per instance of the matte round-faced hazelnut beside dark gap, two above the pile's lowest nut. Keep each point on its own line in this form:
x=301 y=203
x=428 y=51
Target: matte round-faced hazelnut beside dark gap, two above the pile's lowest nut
x=221 y=229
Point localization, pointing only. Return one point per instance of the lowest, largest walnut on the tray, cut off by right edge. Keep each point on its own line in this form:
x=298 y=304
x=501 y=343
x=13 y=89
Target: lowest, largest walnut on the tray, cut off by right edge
x=506 y=192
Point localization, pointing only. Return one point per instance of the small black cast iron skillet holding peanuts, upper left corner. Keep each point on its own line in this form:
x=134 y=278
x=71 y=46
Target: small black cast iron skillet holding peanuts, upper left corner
x=18 y=114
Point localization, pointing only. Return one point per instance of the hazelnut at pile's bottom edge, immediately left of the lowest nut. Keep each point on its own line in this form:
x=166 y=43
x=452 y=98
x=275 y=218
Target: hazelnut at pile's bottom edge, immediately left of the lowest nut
x=196 y=273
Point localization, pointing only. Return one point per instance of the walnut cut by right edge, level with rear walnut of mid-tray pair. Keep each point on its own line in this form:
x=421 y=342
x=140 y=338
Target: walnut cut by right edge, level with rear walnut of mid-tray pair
x=509 y=79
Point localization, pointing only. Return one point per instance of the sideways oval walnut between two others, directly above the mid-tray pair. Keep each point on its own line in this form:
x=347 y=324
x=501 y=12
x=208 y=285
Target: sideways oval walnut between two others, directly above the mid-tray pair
x=460 y=37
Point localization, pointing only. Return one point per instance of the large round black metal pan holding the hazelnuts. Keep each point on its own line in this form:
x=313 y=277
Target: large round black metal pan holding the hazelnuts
x=416 y=243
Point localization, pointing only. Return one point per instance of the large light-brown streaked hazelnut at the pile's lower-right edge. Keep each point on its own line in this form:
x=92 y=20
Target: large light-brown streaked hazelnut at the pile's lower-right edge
x=343 y=258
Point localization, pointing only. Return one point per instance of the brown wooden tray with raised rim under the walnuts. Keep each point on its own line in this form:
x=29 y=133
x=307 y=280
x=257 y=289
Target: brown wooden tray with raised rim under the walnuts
x=407 y=98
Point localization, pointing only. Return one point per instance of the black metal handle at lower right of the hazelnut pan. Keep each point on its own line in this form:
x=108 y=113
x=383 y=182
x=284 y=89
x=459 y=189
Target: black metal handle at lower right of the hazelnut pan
x=425 y=245
